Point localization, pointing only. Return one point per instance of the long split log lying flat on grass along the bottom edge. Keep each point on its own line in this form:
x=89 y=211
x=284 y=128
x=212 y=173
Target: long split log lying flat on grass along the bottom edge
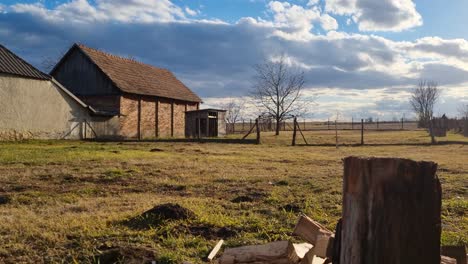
x=281 y=252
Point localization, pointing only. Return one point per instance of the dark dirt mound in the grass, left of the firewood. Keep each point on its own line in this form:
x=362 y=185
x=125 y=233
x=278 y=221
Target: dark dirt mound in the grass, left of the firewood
x=160 y=214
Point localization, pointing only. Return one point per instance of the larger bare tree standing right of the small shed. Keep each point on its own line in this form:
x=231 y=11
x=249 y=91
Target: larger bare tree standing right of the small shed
x=277 y=90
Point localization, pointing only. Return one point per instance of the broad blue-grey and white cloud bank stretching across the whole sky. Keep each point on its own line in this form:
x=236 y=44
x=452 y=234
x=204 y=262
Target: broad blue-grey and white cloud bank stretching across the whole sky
x=368 y=73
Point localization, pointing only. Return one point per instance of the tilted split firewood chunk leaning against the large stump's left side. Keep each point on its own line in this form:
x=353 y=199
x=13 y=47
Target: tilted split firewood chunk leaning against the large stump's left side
x=309 y=230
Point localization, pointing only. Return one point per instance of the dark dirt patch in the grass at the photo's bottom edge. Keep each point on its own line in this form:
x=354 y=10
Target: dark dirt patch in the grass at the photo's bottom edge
x=126 y=255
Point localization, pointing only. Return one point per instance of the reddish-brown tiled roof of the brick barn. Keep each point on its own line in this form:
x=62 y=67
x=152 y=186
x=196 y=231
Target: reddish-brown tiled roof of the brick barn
x=134 y=77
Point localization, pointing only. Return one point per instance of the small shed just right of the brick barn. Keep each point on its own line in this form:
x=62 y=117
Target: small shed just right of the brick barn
x=205 y=123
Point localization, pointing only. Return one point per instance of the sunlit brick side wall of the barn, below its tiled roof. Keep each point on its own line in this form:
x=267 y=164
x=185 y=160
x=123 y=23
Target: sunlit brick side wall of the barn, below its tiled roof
x=165 y=115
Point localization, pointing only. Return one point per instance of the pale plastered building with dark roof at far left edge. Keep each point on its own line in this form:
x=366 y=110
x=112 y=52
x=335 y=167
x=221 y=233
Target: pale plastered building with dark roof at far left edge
x=34 y=105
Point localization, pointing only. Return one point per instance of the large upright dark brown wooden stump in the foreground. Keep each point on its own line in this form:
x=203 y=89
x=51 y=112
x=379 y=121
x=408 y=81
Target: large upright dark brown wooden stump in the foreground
x=391 y=212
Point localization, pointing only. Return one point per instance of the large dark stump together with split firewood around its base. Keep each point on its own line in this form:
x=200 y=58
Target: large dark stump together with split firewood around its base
x=380 y=197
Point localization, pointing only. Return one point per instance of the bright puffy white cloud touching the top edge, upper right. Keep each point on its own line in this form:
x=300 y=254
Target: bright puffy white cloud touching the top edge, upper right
x=381 y=15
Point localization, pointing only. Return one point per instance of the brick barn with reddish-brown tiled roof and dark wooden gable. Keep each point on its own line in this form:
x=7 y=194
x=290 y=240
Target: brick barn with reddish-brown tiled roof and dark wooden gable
x=135 y=100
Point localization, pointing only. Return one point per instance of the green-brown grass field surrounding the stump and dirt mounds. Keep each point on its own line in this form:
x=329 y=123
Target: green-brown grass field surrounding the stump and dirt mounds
x=69 y=201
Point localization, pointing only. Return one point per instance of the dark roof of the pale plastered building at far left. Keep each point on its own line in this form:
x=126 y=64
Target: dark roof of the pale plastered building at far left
x=10 y=63
